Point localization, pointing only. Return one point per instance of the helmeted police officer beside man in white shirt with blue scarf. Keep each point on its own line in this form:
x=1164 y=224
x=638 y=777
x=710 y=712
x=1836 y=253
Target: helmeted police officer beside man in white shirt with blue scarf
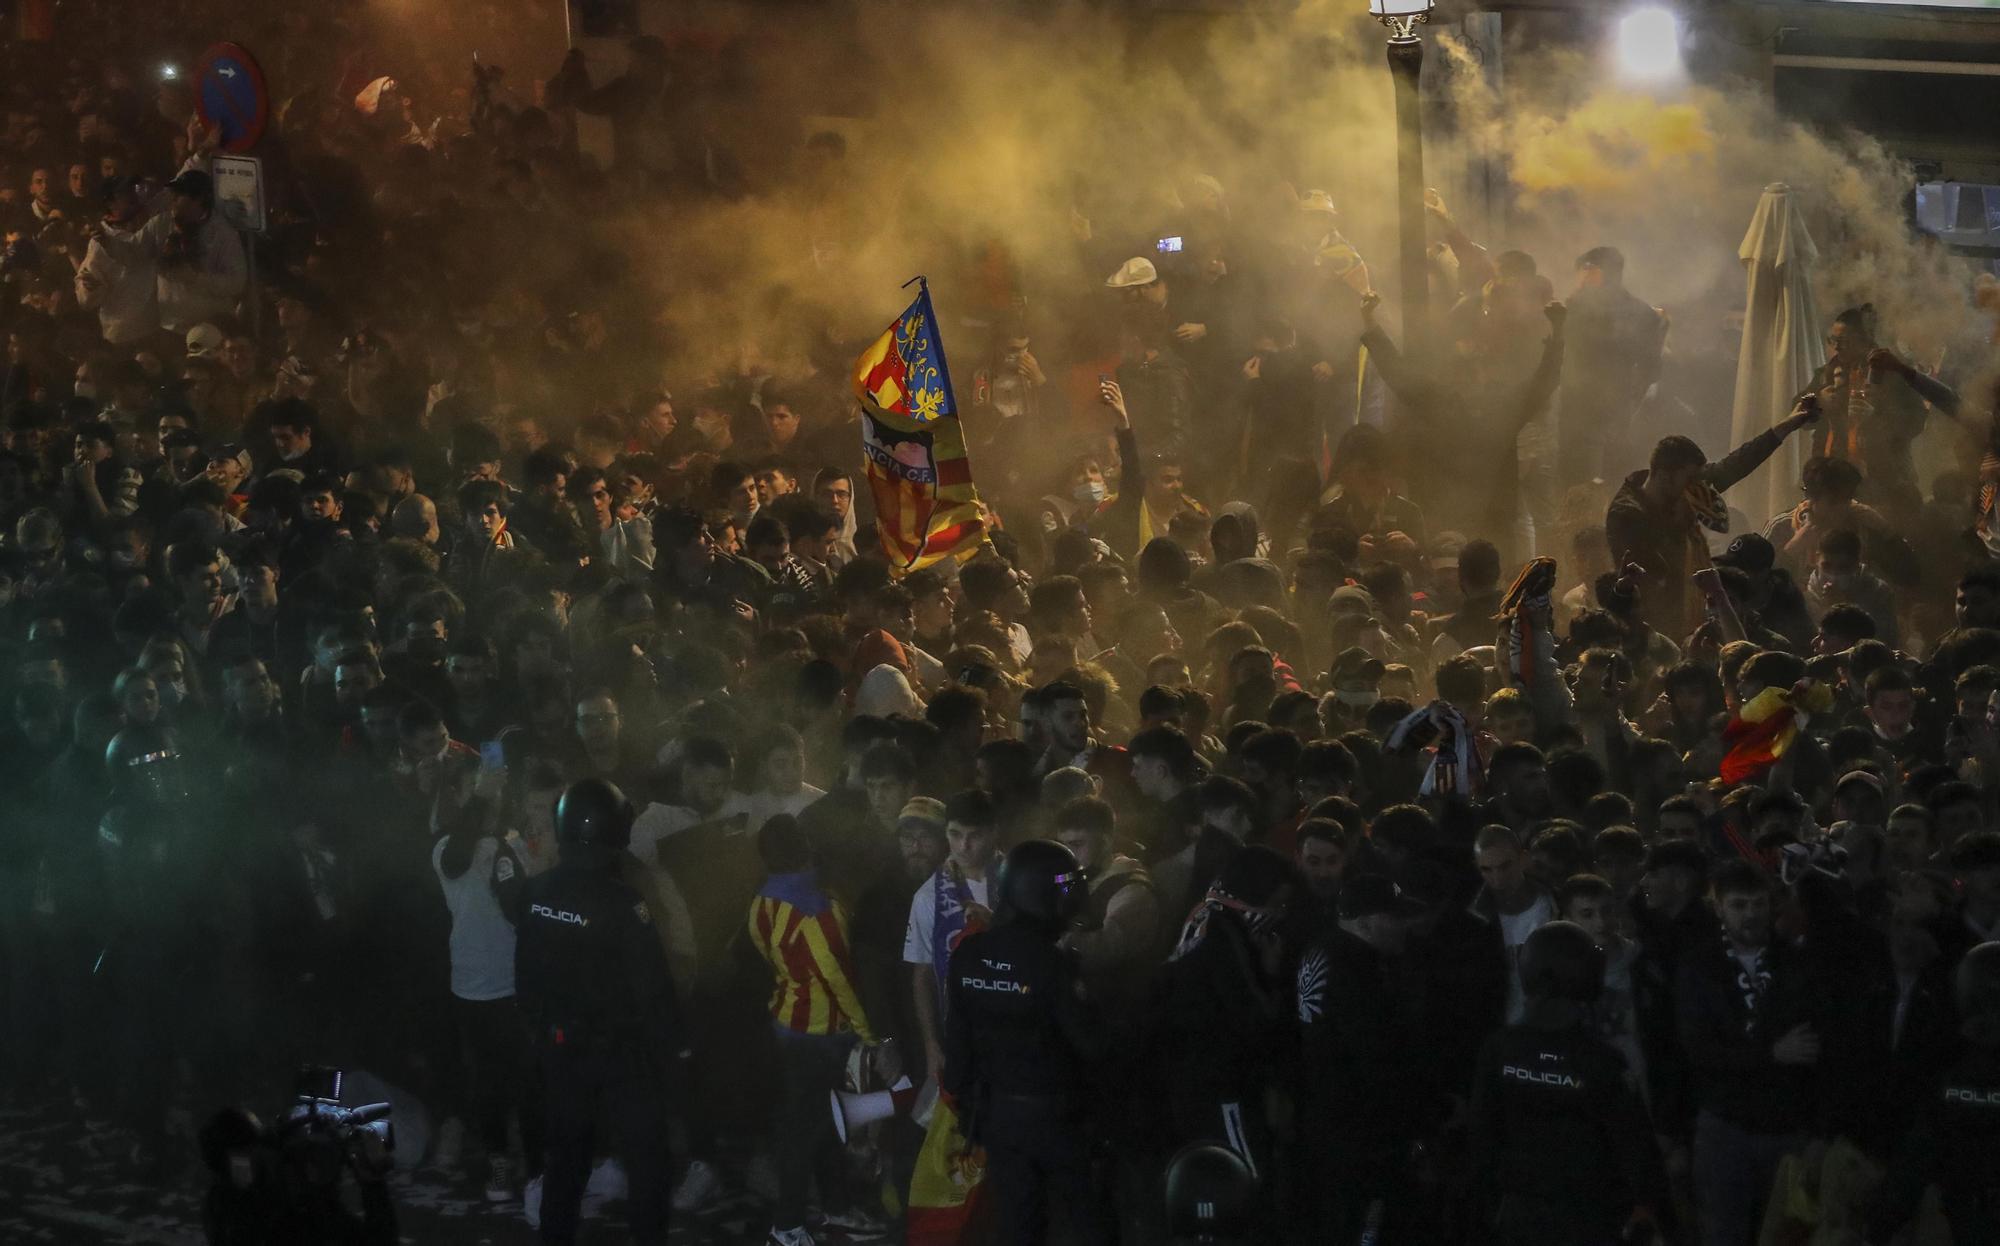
x=1019 y=1043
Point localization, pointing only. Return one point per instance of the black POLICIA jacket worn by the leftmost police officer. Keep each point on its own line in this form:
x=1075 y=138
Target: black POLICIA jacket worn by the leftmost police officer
x=589 y=969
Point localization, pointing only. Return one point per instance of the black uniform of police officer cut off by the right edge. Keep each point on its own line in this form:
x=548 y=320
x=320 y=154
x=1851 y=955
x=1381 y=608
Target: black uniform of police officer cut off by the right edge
x=1957 y=1145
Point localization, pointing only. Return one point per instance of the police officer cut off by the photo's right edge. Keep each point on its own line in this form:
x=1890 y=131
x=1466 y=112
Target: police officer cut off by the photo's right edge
x=1957 y=1137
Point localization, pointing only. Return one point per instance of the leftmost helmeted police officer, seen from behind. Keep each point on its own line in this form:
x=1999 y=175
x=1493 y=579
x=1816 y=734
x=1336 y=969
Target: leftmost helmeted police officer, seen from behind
x=593 y=983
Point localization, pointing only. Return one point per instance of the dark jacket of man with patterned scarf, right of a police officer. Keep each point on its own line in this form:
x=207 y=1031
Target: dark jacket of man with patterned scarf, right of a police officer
x=1729 y=1041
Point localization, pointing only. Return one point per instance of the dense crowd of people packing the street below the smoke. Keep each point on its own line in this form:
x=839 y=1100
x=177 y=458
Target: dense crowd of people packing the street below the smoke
x=1377 y=763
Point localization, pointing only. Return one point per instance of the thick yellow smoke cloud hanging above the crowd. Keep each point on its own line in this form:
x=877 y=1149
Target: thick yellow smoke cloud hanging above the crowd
x=979 y=127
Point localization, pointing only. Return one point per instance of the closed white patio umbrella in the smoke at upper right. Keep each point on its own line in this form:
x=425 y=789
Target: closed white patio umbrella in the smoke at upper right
x=1781 y=351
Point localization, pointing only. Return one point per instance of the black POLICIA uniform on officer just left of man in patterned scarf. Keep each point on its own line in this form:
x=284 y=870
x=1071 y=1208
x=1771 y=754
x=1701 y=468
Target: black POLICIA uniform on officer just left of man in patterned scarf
x=1561 y=1139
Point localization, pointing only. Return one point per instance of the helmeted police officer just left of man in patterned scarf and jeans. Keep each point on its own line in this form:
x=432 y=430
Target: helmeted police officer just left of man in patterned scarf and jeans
x=1561 y=1145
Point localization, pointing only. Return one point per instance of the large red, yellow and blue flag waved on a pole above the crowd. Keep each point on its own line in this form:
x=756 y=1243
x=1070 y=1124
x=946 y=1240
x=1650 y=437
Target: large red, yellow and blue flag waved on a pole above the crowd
x=915 y=449
